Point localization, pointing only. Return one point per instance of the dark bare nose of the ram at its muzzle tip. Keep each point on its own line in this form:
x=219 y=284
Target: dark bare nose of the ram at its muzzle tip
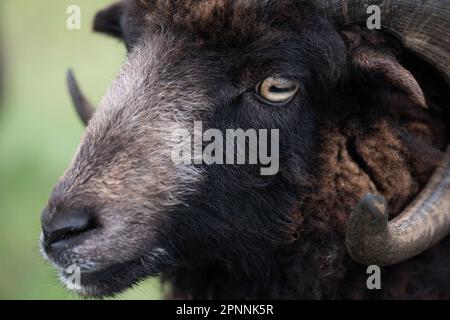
x=60 y=227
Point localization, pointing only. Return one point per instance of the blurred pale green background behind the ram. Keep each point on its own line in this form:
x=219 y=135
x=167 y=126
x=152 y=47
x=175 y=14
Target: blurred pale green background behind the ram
x=39 y=130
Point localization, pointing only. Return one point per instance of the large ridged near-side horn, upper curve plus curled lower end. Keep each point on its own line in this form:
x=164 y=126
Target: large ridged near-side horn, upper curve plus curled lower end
x=422 y=26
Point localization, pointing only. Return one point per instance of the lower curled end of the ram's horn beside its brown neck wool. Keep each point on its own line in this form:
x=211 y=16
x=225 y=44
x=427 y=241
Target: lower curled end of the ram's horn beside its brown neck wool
x=371 y=239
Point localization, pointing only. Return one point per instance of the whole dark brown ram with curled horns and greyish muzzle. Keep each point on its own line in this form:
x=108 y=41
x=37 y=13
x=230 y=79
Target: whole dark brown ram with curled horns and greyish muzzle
x=363 y=120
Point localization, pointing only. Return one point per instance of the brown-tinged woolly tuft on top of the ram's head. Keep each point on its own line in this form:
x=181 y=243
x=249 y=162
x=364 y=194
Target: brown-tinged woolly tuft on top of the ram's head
x=238 y=20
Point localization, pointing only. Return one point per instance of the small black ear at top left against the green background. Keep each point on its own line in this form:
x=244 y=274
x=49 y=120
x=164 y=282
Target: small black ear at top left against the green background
x=108 y=20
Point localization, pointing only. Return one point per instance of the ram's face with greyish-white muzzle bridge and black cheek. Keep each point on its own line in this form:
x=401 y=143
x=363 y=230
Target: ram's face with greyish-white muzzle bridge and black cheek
x=124 y=210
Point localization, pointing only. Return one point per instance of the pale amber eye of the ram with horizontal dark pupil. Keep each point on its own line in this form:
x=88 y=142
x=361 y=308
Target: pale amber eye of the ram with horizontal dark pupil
x=277 y=90
